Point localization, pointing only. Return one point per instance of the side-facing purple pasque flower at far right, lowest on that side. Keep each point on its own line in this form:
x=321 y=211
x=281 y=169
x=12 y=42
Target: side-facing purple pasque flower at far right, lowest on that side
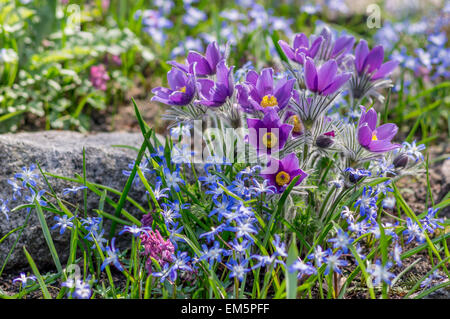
x=377 y=140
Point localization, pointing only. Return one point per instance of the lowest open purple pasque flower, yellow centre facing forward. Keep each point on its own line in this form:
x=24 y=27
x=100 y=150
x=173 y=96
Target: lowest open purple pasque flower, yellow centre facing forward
x=281 y=173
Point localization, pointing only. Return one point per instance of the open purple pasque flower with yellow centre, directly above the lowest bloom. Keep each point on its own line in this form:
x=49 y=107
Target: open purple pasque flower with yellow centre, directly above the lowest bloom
x=269 y=134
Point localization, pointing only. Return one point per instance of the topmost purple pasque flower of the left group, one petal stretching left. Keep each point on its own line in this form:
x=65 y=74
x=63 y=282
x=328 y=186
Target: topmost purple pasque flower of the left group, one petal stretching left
x=201 y=65
